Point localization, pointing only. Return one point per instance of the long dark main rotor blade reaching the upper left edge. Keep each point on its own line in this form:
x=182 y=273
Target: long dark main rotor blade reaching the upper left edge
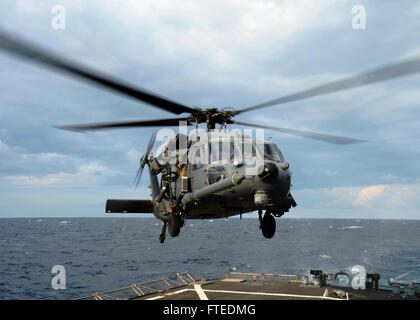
x=29 y=51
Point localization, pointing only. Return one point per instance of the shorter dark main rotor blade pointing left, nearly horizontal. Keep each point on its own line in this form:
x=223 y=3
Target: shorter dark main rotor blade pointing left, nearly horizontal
x=123 y=124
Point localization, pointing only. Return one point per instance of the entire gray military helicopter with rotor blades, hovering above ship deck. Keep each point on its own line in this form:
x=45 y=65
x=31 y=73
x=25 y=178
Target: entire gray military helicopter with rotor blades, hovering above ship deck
x=210 y=174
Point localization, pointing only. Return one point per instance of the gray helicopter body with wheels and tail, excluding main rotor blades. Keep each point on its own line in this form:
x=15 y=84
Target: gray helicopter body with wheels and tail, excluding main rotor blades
x=215 y=175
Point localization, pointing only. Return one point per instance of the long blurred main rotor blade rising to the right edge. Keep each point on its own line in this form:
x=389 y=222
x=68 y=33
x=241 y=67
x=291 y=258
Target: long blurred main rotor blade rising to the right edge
x=378 y=75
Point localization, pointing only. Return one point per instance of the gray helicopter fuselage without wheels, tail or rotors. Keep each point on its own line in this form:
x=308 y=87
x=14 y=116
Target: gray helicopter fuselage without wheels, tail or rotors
x=265 y=183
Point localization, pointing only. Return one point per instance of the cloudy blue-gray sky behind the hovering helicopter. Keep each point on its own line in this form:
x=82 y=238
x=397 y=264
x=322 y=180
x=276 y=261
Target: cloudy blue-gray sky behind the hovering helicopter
x=227 y=53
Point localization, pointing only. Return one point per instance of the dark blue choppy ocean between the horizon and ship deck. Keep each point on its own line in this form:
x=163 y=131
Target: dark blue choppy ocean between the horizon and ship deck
x=101 y=254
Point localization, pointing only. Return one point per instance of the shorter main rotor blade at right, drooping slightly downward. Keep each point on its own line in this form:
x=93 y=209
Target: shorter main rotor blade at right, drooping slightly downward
x=306 y=134
